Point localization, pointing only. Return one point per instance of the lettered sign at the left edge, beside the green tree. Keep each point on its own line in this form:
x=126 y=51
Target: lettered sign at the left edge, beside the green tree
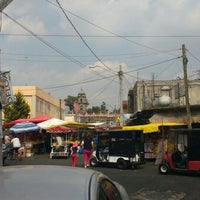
x=7 y=94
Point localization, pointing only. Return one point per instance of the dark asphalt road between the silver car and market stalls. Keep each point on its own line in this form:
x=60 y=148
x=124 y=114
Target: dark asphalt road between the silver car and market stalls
x=142 y=184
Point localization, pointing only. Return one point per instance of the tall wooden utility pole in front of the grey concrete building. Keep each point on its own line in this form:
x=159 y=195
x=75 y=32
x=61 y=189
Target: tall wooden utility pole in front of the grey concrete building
x=185 y=61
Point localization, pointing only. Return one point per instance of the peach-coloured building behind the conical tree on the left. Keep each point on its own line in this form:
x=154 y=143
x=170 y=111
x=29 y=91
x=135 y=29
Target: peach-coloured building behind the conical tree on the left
x=40 y=102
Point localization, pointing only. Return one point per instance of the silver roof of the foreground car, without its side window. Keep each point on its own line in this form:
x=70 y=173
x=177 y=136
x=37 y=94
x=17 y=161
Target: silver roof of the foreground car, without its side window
x=44 y=182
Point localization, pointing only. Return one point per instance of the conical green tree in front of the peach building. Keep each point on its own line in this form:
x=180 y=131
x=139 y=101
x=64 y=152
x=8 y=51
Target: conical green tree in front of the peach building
x=19 y=109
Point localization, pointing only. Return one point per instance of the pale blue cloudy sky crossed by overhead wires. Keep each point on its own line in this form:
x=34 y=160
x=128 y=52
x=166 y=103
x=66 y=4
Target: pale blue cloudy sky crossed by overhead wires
x=65 y=46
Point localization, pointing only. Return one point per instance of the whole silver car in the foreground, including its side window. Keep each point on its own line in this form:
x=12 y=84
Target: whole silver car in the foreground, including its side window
x=57 y=182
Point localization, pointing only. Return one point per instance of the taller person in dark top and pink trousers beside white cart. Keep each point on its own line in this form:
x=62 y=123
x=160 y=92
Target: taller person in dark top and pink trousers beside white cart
x=87 y=144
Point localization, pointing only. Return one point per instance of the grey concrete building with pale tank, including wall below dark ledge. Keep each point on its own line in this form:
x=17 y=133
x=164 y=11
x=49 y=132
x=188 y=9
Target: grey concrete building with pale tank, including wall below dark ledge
x=164 y=100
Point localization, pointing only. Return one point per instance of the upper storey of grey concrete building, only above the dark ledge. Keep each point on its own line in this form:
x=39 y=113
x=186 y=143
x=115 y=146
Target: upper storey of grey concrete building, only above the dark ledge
x=151 y=94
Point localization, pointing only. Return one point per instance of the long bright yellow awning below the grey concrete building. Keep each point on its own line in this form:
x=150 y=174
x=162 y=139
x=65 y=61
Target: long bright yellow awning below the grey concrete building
x=150 y=128
